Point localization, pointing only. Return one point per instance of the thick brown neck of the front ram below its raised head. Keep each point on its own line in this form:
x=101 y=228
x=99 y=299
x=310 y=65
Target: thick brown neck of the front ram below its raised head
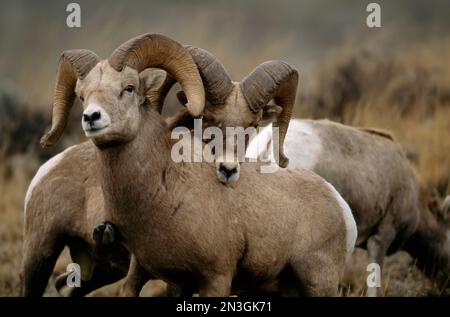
x=133 y=173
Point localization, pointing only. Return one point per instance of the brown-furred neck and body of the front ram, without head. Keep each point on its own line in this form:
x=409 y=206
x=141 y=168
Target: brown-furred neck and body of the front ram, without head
x=292 y=222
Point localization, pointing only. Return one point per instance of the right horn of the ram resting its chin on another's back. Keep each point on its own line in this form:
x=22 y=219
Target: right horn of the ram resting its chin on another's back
x=275 y=80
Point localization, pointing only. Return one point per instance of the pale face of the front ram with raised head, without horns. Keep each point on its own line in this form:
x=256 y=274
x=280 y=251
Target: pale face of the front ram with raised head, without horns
x=111 y=103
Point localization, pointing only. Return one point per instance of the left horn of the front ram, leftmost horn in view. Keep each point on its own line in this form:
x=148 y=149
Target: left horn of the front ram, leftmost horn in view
x=73 y=64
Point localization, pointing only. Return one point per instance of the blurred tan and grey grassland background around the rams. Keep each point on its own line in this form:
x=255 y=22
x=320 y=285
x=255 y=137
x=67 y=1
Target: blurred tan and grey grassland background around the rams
x=396 y=77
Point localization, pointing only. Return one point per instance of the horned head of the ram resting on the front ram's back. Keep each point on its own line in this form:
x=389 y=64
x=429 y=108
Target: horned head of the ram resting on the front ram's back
x=246 y=103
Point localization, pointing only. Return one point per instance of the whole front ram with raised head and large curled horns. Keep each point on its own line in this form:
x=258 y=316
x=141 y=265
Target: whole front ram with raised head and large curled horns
x=292 y=222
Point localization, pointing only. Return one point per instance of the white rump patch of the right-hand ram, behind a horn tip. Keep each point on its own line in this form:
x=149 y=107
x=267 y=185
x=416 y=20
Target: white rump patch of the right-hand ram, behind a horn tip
x=302 y=145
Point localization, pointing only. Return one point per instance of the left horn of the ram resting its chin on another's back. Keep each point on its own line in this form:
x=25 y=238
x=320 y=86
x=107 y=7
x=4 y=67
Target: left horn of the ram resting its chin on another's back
x=217 y=82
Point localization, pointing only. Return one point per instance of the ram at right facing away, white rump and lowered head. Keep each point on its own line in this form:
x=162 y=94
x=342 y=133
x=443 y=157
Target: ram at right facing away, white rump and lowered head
x=370 y=171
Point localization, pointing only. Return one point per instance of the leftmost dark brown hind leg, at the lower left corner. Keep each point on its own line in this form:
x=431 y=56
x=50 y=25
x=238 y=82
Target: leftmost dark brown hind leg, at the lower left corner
x=40 y=253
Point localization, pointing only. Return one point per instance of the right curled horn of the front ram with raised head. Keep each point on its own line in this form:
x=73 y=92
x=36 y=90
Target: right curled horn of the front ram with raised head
x=154 y=50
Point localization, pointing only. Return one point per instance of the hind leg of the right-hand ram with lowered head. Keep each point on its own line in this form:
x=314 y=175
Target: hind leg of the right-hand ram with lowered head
x=378 y=245
